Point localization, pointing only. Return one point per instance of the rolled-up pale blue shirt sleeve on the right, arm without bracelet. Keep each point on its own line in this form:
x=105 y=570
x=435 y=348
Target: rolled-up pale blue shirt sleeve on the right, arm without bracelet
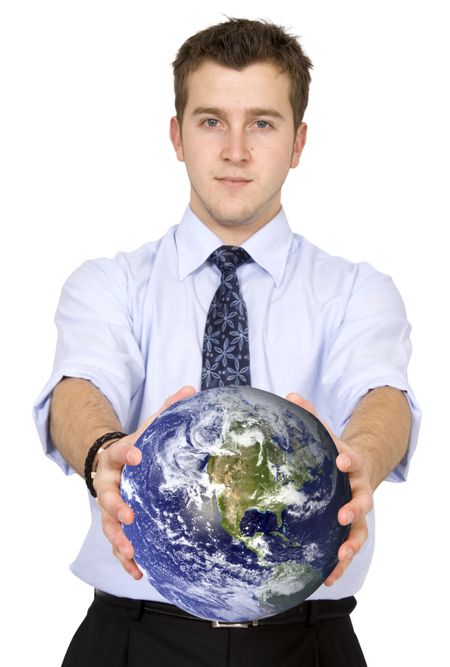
x=371 y=348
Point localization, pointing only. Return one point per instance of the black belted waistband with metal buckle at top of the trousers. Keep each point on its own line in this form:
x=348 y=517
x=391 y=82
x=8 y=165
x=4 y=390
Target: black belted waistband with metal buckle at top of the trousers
x=310 y=612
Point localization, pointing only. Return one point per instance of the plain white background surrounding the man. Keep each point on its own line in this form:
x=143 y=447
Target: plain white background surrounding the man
x=87 y=169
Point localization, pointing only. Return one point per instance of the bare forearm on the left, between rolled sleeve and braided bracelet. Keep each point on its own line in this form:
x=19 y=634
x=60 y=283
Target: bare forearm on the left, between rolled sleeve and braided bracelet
x=79 y=414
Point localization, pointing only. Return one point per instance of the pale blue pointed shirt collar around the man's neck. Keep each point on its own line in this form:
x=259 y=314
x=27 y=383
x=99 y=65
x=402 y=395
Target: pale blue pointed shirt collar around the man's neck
x=268 y=247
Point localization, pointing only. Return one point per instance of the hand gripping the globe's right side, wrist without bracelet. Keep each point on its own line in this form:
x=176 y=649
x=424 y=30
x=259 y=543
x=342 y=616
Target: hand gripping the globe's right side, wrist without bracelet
x=354 y=512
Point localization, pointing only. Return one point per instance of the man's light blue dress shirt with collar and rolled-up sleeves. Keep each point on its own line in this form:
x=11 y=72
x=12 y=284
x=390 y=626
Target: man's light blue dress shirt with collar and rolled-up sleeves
x=320 y=326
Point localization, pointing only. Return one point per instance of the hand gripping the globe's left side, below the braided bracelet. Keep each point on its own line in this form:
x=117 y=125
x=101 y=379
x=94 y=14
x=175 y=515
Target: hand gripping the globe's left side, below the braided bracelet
x=114 y=510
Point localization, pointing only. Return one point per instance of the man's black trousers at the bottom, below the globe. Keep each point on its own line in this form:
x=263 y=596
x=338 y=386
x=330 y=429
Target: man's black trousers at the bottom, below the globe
x=121 y=633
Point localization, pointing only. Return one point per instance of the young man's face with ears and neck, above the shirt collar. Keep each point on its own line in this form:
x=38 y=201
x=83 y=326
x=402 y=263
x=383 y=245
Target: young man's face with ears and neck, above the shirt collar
x=238 y=143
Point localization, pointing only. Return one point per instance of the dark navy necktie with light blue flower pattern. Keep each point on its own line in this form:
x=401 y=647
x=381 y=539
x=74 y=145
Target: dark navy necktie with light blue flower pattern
x=226 y=356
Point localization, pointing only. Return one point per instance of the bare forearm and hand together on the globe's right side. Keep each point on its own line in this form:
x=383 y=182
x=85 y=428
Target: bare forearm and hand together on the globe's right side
x=372 y=444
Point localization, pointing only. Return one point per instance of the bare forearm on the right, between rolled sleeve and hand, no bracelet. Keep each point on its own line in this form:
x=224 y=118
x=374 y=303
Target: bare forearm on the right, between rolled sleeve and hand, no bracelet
x=379 y=430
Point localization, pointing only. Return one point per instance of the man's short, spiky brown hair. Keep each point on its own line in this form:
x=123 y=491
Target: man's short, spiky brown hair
x=237 y=44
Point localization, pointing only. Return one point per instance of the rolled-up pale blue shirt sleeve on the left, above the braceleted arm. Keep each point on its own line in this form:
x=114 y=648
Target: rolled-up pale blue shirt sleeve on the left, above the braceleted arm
x=95 y=342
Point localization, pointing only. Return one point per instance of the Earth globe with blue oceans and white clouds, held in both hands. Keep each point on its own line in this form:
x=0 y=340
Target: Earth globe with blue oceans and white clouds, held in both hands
x=235 y=501
